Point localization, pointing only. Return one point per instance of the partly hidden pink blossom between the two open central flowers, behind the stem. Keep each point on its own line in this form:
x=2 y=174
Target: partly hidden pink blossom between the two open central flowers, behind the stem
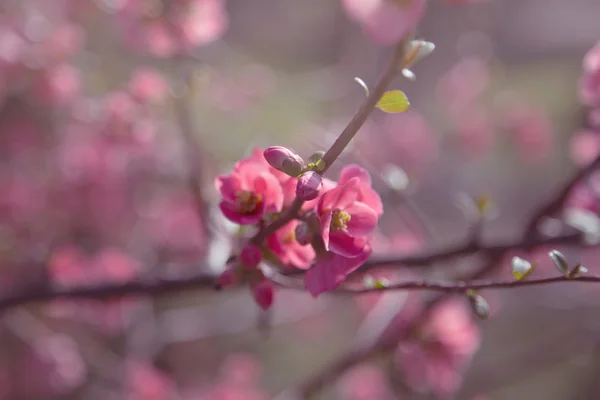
x=284 y=245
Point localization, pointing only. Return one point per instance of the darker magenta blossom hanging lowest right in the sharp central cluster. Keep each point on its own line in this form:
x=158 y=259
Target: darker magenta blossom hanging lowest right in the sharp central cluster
x=331 y=269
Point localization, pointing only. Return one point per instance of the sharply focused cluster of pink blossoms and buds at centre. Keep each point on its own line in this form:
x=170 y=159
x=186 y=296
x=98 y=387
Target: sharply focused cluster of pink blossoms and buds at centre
x=330 y=237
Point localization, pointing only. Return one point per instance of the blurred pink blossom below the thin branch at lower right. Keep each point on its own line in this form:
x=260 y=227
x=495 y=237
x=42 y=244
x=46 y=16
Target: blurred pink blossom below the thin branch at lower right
x=448 y=341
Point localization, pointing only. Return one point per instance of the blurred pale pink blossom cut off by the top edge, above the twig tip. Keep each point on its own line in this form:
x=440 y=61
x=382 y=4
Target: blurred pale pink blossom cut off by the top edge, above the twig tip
x=386 y=21
